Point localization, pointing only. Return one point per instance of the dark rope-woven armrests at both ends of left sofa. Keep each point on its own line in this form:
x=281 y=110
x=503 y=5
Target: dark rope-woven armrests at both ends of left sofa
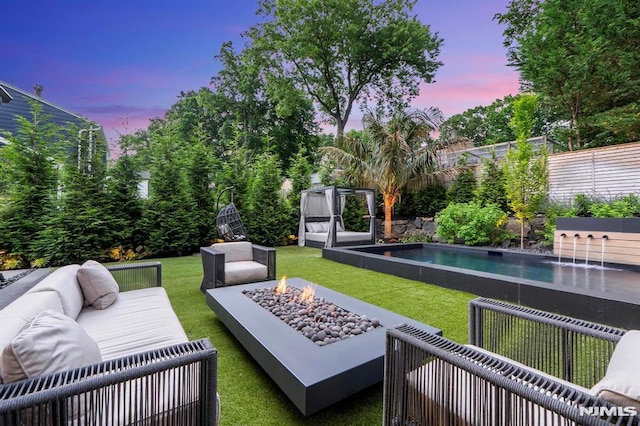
x=101 y=393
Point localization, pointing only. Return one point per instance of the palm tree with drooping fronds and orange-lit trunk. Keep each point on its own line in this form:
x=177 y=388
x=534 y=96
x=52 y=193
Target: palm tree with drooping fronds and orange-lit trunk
x=391 y=156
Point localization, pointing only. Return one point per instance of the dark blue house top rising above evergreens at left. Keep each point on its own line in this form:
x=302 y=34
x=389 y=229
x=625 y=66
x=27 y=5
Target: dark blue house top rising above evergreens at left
x=20 y=106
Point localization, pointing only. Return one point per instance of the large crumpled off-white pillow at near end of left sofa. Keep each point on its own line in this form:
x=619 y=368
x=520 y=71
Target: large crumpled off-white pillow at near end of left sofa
x=51 y=342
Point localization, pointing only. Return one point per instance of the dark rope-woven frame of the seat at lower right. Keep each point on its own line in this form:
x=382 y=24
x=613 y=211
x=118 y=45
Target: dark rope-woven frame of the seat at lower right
x=492 y=381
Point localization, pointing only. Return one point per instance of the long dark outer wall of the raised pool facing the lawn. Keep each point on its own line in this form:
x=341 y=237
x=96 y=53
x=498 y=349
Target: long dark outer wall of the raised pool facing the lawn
x=588 y=304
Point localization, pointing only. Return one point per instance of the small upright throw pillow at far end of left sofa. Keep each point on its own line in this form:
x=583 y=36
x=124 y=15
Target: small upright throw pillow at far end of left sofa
x=99 y=287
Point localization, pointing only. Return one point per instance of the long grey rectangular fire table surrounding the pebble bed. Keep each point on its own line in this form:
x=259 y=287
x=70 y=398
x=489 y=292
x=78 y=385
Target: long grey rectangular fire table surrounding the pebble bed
x=313 y=377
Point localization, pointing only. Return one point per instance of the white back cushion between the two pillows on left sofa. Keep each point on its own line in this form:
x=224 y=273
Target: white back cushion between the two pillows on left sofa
x=64 y=282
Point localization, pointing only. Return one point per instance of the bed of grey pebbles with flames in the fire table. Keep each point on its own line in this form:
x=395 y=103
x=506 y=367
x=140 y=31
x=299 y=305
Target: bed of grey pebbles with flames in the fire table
x=321 y=321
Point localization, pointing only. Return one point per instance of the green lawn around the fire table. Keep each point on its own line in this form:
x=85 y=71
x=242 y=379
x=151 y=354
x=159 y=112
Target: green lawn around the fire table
x=248 y=396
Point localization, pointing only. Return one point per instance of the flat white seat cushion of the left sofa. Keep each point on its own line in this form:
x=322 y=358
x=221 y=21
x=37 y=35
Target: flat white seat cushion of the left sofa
x=138 y=321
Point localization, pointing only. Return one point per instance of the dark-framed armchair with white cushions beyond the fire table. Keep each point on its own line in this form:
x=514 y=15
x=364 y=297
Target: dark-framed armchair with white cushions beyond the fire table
x=235 y=263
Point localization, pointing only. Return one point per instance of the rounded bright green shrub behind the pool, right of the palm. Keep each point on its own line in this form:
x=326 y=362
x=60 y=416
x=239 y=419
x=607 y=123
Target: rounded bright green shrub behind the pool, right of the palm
x=471 y=224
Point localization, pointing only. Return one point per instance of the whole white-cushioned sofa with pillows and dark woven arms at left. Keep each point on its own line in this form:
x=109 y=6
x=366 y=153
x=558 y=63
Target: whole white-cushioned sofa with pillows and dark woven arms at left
x=91 y=346
